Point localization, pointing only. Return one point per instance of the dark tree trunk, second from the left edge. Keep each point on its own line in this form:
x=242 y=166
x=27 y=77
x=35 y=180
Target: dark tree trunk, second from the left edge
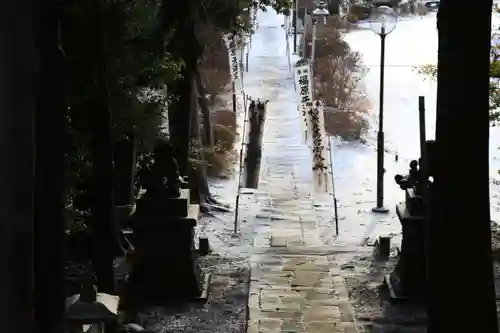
x=50 y=128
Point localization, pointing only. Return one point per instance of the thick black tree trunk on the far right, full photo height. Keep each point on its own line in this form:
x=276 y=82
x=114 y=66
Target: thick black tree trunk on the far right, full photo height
x=462 y=294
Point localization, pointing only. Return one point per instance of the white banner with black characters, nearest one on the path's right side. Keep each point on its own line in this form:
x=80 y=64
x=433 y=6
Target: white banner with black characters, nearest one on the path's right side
x=319 y=148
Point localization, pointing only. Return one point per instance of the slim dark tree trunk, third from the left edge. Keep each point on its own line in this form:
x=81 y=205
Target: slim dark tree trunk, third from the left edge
x=104 y=230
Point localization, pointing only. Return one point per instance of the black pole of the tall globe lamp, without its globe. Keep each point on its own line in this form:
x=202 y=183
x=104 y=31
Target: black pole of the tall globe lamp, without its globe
x=380 y=135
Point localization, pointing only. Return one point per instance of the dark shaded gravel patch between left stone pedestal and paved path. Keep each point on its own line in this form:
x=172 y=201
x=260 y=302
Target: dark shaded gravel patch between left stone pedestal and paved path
x=225 y=310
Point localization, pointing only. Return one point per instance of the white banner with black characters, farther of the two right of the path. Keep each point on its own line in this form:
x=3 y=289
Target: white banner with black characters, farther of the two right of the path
x=303 y=86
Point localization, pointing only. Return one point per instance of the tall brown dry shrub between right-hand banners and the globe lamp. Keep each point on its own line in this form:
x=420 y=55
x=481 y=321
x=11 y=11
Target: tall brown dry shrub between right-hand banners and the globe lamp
x=338 y=73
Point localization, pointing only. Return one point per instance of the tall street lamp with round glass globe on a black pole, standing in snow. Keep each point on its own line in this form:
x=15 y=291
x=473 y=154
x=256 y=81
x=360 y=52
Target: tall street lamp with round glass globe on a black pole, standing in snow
x=383 y=21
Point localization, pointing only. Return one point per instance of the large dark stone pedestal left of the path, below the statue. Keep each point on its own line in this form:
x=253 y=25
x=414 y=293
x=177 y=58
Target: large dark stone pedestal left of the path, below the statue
x=164 y=265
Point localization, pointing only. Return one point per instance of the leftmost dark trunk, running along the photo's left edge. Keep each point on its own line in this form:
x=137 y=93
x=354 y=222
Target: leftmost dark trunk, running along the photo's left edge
x=17 y=112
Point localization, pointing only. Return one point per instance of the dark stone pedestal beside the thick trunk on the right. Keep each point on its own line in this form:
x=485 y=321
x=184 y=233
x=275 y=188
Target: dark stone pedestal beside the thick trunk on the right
x=408 y=280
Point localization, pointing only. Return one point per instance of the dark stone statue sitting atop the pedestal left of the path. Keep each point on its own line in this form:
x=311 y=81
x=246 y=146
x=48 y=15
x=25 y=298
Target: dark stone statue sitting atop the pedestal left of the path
x=164 y=179
